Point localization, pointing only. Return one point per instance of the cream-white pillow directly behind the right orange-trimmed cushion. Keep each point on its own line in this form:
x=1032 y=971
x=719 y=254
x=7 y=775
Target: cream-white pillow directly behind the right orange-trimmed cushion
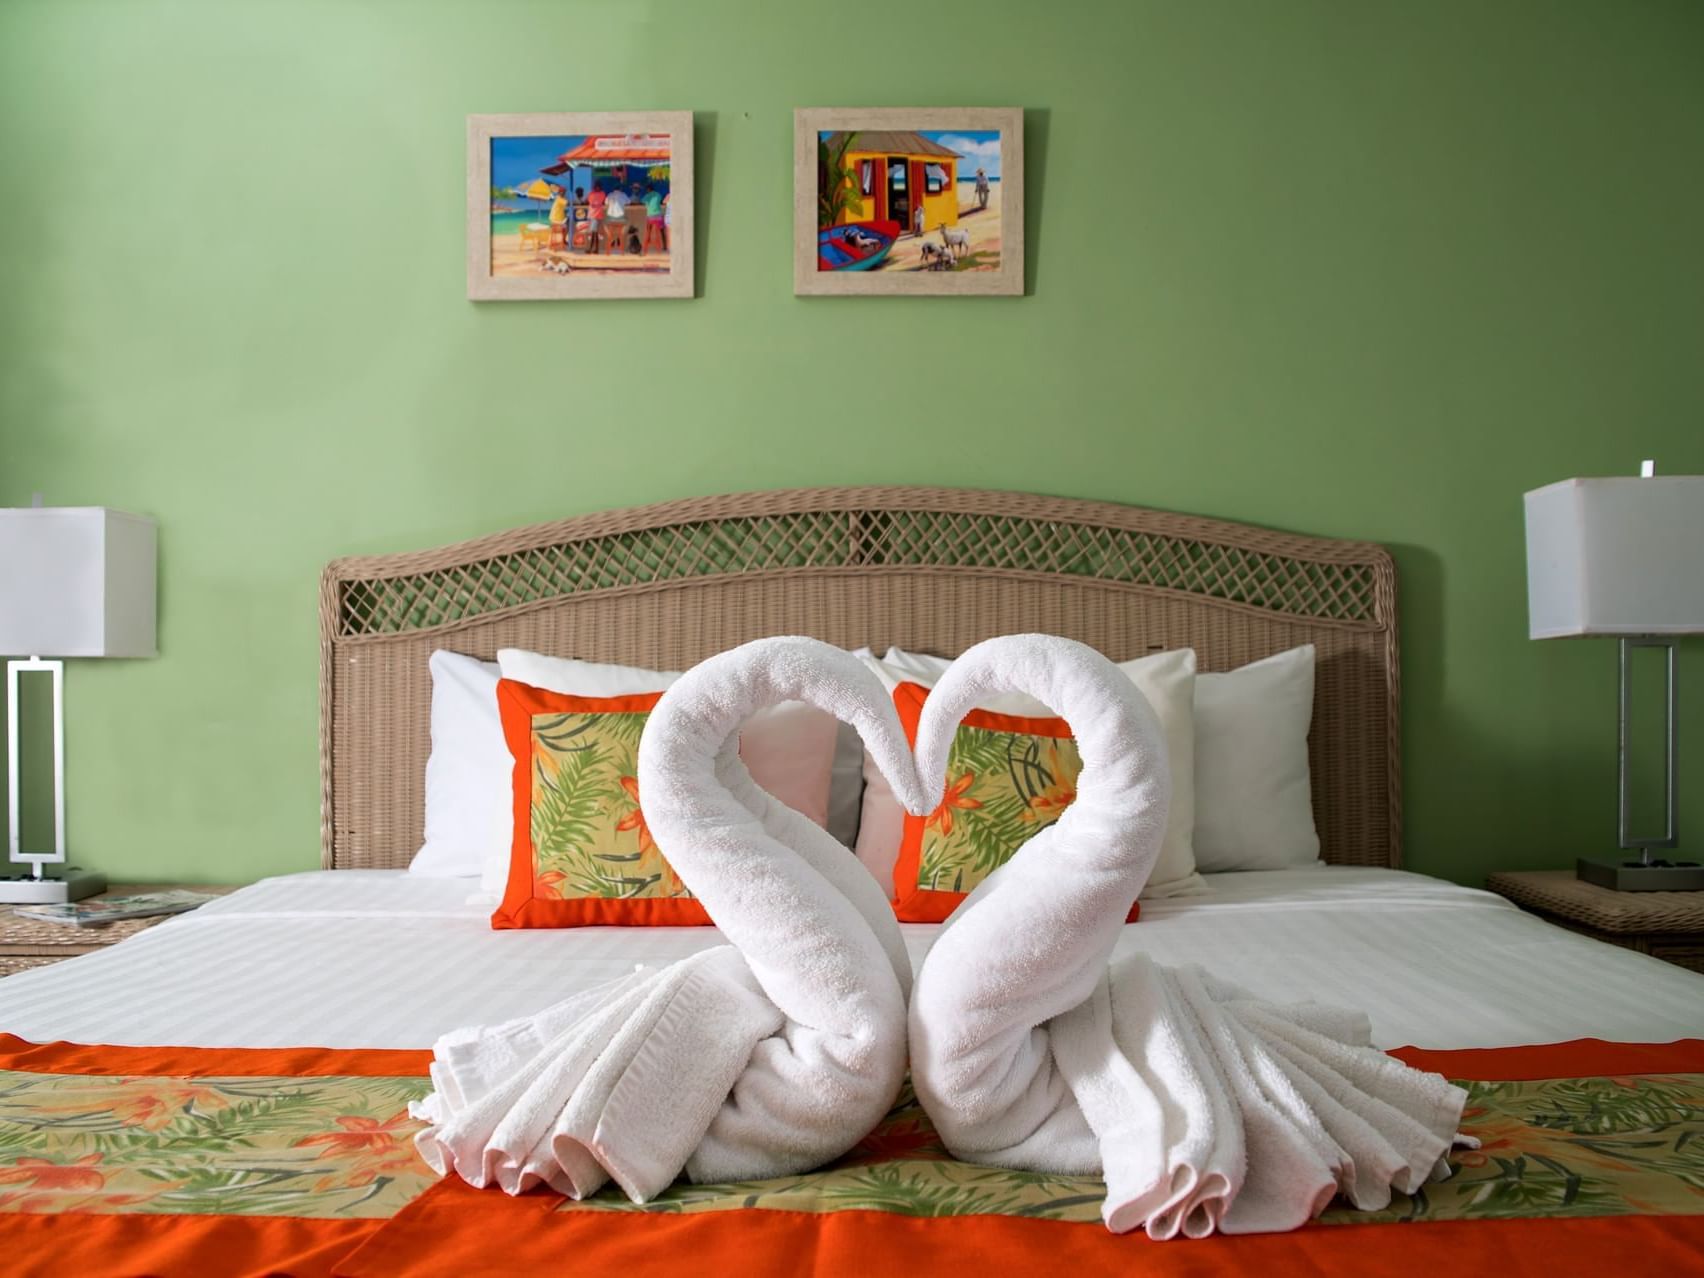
x=1165 y=679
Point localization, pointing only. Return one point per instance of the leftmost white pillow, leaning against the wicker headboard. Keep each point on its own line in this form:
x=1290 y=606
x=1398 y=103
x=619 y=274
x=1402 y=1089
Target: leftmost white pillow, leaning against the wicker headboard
x=469 y=773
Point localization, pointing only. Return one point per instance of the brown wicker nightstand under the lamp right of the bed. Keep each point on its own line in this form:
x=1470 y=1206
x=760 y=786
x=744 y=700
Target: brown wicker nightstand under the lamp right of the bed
x=1664 y=924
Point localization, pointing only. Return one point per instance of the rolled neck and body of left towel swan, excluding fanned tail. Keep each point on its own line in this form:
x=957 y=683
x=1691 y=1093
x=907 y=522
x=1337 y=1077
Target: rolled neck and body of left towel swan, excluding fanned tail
x=812 y=924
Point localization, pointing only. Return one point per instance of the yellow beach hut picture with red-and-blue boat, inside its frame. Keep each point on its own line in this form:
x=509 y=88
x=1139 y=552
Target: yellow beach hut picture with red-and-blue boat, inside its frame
x=892 y=200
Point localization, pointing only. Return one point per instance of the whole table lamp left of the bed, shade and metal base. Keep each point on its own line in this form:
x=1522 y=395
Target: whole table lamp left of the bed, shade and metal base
x=74 y=582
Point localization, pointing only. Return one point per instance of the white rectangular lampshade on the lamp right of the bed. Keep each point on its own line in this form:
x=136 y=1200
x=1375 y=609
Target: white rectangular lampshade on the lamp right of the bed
x=1616 y=556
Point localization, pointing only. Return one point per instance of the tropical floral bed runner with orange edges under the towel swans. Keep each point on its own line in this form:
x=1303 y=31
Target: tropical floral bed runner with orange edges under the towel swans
x=185 y=1161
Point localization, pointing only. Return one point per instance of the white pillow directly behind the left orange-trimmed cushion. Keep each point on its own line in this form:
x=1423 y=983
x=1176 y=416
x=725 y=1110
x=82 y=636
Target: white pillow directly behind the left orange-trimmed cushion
x=790 y=749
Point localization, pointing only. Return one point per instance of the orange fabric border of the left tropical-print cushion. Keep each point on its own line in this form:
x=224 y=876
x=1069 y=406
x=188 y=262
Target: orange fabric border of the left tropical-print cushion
x=517 y=705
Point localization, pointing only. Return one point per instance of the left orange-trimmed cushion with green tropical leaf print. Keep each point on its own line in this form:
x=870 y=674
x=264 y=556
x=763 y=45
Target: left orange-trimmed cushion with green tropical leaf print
x=584 y=855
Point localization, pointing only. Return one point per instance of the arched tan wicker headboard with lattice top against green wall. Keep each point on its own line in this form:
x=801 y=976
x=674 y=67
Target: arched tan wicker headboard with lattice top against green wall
x=930 y=570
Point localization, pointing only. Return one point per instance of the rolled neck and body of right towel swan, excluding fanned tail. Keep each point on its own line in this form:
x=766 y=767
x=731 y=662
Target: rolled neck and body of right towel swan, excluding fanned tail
x=1033 y=940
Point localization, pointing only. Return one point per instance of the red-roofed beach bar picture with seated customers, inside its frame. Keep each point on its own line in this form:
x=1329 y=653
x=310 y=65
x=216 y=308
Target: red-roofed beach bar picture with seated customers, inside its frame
x=580 y=205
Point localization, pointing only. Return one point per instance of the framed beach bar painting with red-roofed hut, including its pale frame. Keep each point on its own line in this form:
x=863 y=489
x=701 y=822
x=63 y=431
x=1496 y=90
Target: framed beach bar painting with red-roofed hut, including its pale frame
x=580 y=205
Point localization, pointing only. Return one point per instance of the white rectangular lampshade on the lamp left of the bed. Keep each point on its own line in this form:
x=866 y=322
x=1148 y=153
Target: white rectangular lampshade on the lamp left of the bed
x=76 y=582
